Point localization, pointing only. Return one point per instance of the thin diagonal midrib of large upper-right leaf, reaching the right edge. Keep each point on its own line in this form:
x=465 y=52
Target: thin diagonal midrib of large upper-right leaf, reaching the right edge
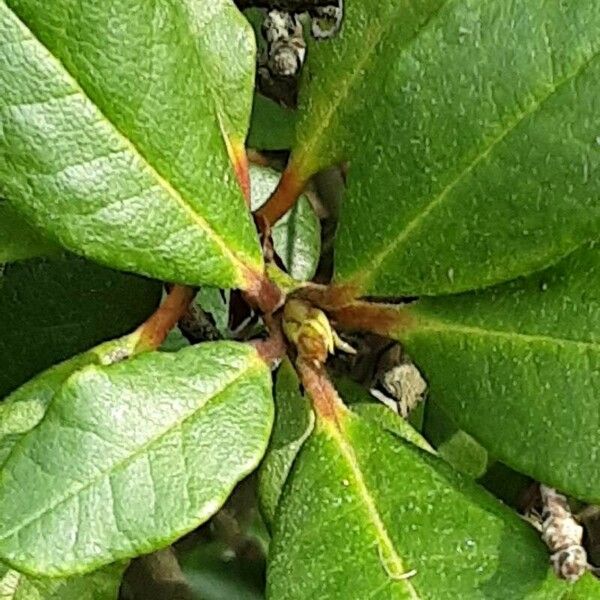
x=363 y=279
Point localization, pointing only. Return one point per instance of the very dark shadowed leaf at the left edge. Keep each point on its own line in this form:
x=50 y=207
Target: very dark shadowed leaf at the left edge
x=55 y=308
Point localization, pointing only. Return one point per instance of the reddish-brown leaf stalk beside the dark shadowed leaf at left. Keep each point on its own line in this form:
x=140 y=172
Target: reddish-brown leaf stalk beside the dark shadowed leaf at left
x=153 y=332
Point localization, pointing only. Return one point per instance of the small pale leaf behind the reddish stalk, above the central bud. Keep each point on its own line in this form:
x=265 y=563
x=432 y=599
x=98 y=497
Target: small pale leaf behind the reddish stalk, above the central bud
x=297 y=236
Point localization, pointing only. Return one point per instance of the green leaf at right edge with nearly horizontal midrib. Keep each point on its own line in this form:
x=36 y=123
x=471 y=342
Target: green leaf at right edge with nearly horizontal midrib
x=518 y=367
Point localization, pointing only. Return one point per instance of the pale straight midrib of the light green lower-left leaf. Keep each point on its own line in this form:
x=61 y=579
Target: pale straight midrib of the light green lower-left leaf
x=253 y=365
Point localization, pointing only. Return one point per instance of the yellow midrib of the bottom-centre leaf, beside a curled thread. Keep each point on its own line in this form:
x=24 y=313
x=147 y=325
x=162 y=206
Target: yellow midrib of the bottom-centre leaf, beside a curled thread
x=383 y=538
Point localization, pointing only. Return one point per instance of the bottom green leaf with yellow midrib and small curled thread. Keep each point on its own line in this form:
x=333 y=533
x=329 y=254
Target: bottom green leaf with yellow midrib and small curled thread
x=364 y=508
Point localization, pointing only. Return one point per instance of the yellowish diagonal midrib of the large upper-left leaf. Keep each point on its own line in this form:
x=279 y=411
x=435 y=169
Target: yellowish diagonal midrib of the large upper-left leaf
x=129 y=145
